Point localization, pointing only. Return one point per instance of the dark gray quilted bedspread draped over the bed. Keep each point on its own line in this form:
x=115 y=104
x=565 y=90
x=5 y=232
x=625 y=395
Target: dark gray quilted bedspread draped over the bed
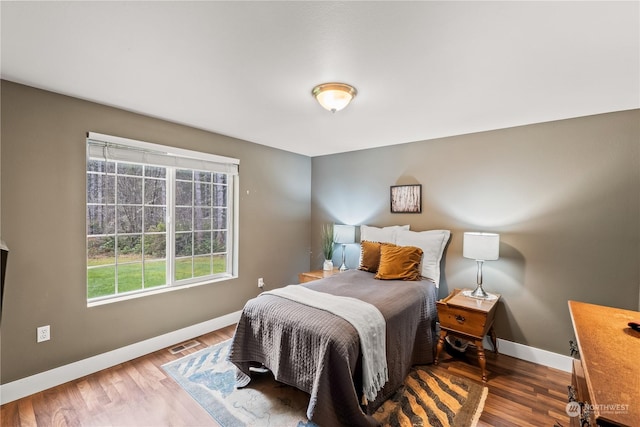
x=319 y=352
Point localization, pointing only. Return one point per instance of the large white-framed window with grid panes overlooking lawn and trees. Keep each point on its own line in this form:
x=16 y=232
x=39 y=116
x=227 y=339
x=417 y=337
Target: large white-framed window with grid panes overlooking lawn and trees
x=157 y=217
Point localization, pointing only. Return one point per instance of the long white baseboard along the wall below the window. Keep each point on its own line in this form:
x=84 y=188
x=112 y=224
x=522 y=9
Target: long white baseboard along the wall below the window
x=42 y=381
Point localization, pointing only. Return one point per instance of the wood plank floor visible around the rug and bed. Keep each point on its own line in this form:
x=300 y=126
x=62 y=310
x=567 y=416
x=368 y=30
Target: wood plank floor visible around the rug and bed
x=138 y=393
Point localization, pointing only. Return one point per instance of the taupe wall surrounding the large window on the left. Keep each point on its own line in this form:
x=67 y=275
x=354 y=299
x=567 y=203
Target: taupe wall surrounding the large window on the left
x=43 y=223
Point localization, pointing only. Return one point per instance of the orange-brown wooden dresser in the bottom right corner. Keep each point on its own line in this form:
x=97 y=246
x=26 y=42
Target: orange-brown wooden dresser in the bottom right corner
x=606 y=377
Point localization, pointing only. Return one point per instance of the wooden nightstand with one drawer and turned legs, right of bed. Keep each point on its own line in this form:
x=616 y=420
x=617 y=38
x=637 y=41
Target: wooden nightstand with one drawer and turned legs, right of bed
x=468 y=318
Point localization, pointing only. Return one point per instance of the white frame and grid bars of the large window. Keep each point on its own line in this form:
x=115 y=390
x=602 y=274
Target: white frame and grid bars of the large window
x=124 y=150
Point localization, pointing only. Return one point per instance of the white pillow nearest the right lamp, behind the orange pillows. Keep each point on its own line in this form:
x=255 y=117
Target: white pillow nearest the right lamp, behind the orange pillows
x=432 y=243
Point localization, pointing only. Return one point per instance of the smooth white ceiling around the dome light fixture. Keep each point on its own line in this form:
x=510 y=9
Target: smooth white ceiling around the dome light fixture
x=246 y=69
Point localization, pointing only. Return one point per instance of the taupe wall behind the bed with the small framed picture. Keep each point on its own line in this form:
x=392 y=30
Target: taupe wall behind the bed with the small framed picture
x=564 y=196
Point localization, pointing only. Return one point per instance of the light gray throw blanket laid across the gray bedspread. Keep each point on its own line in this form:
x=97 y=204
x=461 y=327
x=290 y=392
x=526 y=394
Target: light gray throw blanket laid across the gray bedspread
x=365 y=318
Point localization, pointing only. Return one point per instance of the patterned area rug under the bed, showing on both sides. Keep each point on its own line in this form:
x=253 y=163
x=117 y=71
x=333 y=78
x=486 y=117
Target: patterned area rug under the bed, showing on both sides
x=427 y=398
